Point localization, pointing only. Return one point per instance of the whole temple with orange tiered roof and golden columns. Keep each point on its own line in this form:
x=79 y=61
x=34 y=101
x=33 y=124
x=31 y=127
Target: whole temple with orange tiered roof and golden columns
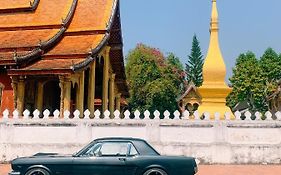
x=61 y=54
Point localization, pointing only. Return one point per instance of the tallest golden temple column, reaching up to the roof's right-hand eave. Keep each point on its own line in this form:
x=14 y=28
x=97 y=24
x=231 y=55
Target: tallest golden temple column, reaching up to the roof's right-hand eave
x=105 y=80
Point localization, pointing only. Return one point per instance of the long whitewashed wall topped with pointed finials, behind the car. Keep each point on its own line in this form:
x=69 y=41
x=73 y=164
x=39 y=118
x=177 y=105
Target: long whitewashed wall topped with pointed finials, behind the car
x=251 y=138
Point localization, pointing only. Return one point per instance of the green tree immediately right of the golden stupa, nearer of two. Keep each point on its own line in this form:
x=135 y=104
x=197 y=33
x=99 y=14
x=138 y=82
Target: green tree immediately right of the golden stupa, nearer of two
x=248 y=83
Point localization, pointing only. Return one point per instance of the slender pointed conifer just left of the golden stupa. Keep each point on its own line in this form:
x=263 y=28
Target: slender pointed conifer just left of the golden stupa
x=195 y=64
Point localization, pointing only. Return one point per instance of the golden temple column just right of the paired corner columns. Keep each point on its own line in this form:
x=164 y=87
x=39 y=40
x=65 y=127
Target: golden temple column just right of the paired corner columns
x=80 y=95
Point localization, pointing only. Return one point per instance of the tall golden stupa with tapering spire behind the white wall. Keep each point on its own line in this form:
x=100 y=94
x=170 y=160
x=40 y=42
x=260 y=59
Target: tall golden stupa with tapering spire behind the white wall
x=214 y=89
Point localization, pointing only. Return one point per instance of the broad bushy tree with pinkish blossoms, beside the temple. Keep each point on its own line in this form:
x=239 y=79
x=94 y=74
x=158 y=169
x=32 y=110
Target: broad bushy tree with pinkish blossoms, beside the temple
x=154 y=80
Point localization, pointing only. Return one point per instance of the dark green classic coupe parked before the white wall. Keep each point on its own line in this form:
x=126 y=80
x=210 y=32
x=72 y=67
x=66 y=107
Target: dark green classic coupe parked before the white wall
x=106 y=156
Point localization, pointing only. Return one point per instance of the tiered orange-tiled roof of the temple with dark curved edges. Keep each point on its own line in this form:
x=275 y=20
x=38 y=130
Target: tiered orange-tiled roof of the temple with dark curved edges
x=59 y=36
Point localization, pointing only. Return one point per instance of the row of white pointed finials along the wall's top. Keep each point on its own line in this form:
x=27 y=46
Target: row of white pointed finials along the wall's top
x=137 y=115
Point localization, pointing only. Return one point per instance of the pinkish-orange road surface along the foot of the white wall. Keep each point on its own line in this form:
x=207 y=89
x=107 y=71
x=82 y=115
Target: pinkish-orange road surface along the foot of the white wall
x=214 y=169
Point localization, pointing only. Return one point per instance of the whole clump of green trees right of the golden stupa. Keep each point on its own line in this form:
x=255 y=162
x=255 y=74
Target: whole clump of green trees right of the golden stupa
x=254 y=80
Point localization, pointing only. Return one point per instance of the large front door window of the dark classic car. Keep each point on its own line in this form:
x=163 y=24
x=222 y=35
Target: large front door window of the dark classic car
x=114 y=149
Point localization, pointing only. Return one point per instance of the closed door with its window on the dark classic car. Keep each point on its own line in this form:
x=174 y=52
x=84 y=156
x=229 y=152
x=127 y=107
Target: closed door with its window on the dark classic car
x=103 y=158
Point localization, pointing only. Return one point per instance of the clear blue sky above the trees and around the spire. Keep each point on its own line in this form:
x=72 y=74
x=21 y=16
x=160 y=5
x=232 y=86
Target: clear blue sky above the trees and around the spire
x=170 y=25
